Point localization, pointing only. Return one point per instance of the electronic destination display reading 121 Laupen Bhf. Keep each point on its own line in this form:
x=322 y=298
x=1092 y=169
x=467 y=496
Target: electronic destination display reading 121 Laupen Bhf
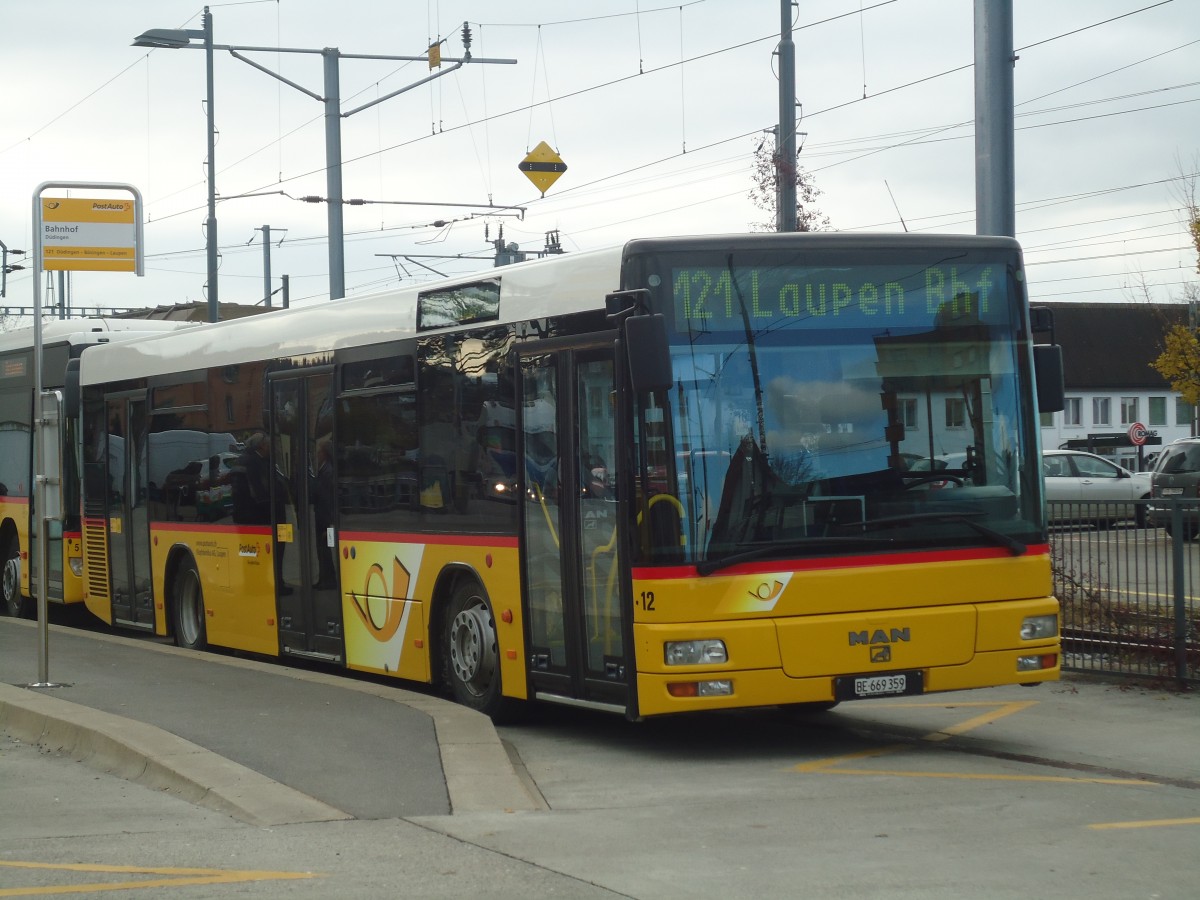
x=733 y=299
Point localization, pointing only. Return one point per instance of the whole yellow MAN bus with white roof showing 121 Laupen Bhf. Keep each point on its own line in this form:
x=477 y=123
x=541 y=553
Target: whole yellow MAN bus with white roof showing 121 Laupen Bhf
x=683 y=475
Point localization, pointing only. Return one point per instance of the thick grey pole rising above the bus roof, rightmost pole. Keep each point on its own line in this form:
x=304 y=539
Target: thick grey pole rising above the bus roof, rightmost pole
x=995 y=167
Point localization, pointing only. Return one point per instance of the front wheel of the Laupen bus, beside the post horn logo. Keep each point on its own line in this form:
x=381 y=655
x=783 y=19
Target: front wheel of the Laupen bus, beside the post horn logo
x=472 y=652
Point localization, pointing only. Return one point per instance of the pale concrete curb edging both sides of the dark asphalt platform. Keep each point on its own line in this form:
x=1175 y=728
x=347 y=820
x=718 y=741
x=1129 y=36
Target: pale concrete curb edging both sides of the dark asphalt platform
x=478 y=772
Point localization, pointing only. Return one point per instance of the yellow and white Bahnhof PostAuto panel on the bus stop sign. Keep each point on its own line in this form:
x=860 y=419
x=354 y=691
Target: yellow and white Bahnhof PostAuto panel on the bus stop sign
x=89 y=235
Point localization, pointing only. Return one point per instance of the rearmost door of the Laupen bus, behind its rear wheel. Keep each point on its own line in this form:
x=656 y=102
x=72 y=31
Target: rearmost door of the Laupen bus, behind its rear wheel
x=129 y=526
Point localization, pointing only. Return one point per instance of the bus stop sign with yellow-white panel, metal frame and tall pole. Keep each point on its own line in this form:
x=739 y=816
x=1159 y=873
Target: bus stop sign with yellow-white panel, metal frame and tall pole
x=98 y=236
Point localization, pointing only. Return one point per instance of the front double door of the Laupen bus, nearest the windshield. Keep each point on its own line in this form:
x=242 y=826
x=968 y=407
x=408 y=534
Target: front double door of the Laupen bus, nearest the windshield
x=571 y=565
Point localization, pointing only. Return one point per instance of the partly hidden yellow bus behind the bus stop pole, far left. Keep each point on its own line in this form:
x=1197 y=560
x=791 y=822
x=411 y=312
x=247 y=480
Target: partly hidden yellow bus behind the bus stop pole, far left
x=63 y=341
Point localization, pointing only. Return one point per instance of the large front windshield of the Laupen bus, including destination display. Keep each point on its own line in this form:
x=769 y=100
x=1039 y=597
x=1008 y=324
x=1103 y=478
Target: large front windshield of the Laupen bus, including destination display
x=830 y=407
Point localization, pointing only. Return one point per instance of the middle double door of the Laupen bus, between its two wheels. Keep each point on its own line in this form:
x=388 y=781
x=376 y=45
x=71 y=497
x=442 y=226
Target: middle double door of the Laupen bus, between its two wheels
x=305 y=517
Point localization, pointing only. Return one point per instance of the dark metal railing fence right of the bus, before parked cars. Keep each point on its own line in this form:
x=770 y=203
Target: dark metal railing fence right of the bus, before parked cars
x=1129 y=580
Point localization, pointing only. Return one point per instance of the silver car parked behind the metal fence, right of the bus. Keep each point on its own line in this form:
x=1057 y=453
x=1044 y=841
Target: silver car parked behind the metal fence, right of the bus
x=1085 y=488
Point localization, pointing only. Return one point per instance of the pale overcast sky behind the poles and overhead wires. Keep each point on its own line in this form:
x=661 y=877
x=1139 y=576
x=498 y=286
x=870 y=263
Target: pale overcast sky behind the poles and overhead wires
x=656 y=110
